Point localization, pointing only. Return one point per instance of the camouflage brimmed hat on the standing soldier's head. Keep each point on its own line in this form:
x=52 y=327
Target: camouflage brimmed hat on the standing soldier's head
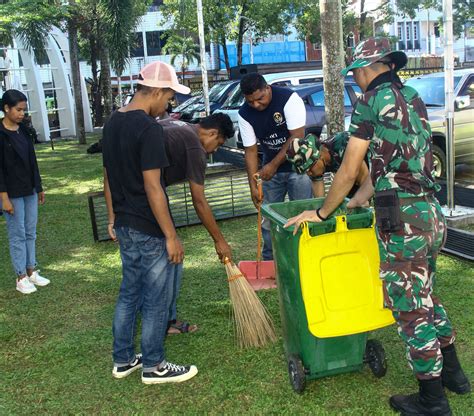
x=371 y=50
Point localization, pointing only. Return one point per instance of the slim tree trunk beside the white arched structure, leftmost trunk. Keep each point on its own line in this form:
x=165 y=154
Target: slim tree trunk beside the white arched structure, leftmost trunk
x=76 y=75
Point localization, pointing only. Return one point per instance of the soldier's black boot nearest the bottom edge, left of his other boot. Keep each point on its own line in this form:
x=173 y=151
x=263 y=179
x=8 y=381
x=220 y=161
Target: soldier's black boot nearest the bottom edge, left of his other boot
x=429 y=401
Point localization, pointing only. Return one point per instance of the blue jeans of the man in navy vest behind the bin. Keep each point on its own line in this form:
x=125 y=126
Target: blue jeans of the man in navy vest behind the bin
x=275 y=190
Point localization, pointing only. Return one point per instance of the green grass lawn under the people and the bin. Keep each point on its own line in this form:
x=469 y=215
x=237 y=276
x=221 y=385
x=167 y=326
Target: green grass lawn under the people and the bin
x=56 y=343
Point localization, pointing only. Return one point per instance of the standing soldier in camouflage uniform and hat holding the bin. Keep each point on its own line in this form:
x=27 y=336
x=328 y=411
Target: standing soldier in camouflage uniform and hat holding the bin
x=390 y=121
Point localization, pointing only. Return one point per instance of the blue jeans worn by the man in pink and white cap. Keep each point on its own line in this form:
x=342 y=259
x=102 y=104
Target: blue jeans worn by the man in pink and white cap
x=147 y=285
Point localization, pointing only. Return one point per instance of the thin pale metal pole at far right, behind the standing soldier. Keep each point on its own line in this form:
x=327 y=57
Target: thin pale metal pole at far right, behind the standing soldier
x=449 y=98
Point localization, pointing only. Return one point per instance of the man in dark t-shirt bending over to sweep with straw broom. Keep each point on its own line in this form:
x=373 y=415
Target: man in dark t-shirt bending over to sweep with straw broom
x=187 y=147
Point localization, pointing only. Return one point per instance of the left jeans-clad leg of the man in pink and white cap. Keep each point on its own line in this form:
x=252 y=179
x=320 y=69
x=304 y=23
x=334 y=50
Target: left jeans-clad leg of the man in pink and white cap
x=128 y=301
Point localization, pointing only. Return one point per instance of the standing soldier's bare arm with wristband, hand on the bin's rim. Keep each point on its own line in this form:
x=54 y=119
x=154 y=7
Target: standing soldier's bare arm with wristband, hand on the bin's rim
x=342 y=184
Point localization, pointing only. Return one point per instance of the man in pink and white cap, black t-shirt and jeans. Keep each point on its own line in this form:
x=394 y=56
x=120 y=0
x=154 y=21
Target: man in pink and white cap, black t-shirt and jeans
x=139 y=218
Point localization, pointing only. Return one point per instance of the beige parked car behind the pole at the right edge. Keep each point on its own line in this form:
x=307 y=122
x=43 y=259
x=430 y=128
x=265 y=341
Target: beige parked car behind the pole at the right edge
x=431 y=89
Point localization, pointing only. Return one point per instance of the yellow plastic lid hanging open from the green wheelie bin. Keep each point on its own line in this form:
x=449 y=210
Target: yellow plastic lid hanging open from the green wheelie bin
x=340 y=284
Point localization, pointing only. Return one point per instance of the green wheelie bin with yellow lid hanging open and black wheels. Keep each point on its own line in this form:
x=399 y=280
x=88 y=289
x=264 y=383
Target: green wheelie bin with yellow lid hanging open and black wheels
x=329 y=290
